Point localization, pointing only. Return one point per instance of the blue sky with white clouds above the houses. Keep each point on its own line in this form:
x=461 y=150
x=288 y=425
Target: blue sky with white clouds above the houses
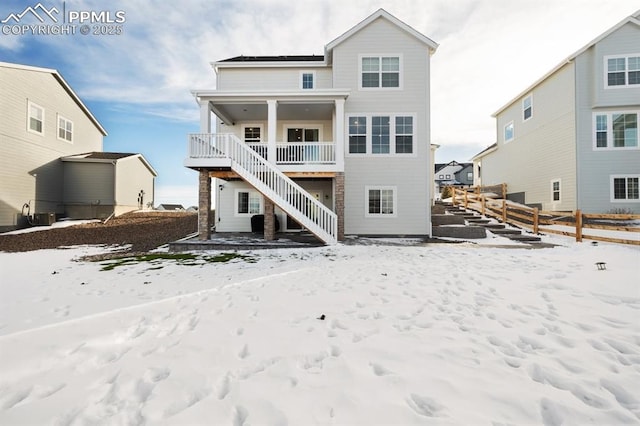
x=138 y=83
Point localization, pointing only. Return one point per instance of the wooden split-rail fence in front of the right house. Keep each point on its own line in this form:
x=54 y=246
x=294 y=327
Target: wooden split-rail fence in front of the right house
x=491 y=202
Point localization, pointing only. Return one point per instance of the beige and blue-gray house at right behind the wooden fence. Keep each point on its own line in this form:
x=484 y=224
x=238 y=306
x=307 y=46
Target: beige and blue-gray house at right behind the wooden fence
x=570 y=140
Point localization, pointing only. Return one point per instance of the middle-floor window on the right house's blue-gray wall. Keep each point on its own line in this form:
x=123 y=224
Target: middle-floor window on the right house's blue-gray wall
x=613 y=130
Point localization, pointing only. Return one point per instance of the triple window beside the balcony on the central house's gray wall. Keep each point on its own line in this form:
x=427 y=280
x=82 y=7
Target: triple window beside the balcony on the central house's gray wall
x=374 y=134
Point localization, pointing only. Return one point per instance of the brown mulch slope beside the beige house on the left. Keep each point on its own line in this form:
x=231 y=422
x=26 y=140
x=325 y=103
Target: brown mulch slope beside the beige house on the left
x=137 y=232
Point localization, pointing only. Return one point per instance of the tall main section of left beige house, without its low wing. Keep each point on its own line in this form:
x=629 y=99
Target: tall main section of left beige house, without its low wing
x=42 y=120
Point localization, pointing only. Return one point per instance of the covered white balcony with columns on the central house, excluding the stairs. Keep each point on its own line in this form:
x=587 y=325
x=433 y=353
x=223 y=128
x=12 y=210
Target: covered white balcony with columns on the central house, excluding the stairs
x=300 y=131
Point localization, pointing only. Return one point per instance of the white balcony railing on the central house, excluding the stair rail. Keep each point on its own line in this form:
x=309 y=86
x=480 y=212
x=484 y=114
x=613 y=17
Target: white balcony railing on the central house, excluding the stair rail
x=214 y=146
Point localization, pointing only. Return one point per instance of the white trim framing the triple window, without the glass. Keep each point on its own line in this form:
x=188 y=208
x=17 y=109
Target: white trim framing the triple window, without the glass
x=392 y=135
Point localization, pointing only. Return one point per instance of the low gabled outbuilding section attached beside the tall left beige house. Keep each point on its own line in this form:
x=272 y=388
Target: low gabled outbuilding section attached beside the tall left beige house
x=99 y=184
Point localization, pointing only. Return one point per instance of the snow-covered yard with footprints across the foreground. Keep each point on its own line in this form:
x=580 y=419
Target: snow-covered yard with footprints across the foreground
x=445 y=334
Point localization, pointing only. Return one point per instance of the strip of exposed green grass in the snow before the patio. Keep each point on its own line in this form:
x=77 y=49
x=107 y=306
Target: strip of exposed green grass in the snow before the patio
x=156 y=260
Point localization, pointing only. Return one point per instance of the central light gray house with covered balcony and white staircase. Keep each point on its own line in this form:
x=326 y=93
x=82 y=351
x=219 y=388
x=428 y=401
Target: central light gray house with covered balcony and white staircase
x=336 y=143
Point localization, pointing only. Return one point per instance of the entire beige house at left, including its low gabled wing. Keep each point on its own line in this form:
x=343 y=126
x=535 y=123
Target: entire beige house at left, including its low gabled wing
x=51 y=154
